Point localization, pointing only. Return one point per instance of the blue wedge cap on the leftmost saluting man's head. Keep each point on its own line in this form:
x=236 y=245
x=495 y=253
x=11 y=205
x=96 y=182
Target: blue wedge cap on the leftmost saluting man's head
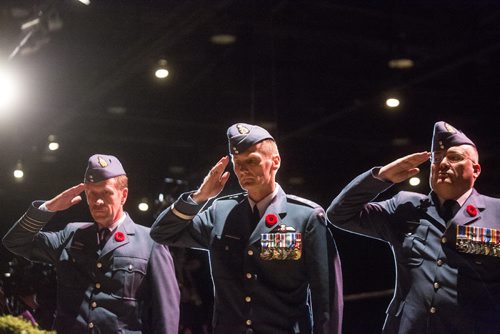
x=102 y=167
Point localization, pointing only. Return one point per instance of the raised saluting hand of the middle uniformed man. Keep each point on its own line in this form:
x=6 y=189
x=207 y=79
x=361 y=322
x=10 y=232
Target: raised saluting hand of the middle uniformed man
x=213 y=183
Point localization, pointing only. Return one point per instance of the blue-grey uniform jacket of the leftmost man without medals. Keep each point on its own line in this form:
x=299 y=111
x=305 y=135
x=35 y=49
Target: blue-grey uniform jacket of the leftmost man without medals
x=127 y=287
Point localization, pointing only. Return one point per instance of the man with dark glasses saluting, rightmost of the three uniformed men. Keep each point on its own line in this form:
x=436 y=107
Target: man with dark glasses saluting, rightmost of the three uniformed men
x=446 y=245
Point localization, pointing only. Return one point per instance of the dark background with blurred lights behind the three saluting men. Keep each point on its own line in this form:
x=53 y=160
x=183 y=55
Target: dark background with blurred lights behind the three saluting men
x=314 y=73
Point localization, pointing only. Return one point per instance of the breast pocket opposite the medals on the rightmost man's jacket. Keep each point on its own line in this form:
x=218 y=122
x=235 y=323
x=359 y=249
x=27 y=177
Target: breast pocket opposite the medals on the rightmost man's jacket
x=414 y=243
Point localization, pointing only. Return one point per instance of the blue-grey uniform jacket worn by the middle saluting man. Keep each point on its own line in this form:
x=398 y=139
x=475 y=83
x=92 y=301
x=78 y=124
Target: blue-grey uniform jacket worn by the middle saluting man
x=253 y=295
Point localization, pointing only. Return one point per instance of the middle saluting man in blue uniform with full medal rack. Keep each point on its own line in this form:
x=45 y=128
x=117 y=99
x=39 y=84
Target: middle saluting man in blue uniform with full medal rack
x=274 y=262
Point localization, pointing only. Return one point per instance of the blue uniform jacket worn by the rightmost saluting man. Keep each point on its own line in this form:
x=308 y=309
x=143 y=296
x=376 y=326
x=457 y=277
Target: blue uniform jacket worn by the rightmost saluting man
x=438 y=289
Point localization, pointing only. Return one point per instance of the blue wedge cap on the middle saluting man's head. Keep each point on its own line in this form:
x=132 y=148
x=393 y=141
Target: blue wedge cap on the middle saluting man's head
x=241 y=136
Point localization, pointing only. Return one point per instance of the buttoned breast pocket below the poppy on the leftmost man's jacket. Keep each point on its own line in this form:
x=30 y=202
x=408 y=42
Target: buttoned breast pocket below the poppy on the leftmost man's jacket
x=127 y=276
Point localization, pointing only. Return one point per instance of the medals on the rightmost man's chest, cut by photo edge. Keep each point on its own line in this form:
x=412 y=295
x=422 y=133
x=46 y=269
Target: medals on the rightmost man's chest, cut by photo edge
x=478 y=240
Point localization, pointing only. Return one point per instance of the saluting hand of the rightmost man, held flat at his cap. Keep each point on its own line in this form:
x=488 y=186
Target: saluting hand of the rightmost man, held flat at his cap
x=403 y=168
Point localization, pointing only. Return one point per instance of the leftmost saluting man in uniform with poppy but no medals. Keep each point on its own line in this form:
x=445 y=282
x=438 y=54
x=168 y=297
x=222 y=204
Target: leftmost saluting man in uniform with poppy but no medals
x=111 y=276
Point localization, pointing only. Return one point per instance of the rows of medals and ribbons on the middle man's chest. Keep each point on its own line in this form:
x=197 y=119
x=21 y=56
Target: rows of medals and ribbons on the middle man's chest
x=284 y=244
